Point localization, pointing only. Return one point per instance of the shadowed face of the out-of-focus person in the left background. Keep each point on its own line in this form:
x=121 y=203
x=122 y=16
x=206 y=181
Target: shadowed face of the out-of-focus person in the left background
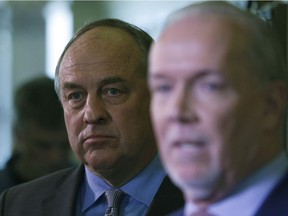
x=47 y=150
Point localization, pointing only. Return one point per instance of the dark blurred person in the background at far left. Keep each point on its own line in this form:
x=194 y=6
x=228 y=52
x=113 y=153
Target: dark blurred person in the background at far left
x=40 y=142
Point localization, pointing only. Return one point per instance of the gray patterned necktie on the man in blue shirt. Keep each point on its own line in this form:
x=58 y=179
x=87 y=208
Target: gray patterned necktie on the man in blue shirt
x=114 y=198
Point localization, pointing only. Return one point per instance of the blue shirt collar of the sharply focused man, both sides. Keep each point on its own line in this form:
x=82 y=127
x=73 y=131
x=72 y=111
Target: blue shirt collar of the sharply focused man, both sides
x=142 y=187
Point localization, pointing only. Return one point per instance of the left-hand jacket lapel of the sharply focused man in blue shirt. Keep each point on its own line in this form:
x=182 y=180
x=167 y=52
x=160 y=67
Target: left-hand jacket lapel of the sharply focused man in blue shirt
x=63 y=199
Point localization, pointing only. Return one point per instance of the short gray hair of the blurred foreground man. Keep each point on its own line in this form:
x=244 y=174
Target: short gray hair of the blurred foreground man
x=266 y=51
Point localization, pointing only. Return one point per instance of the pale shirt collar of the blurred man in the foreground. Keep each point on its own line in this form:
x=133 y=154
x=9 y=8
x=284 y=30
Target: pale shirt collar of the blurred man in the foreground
x=251 y=193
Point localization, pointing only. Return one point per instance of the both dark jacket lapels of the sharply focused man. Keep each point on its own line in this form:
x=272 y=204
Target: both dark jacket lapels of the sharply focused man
x=63 y=199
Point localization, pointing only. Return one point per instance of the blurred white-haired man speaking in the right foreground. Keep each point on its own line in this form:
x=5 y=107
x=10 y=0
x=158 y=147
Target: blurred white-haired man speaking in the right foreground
x=218 y=86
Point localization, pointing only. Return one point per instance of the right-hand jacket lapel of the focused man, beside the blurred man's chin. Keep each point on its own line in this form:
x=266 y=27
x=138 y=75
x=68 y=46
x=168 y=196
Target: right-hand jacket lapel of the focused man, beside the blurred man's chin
x=168 y=199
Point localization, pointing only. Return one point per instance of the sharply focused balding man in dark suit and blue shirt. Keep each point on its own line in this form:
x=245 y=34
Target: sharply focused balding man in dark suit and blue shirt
x=101 y=83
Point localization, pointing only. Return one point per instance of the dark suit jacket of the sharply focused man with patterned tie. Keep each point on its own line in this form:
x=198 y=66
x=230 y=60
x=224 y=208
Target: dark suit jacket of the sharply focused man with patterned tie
x=56 y=195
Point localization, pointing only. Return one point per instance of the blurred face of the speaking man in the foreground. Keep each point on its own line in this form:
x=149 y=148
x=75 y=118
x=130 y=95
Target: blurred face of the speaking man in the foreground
x=207 y=105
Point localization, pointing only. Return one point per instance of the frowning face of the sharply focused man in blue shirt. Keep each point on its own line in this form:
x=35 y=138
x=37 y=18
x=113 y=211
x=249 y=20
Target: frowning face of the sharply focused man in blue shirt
x=106 y=103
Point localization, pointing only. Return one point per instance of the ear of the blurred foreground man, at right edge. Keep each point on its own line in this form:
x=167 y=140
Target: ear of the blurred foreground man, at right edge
x=276 y=101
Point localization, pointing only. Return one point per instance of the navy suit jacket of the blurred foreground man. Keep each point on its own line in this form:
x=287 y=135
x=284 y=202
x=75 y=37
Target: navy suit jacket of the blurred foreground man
x=276 y=204
